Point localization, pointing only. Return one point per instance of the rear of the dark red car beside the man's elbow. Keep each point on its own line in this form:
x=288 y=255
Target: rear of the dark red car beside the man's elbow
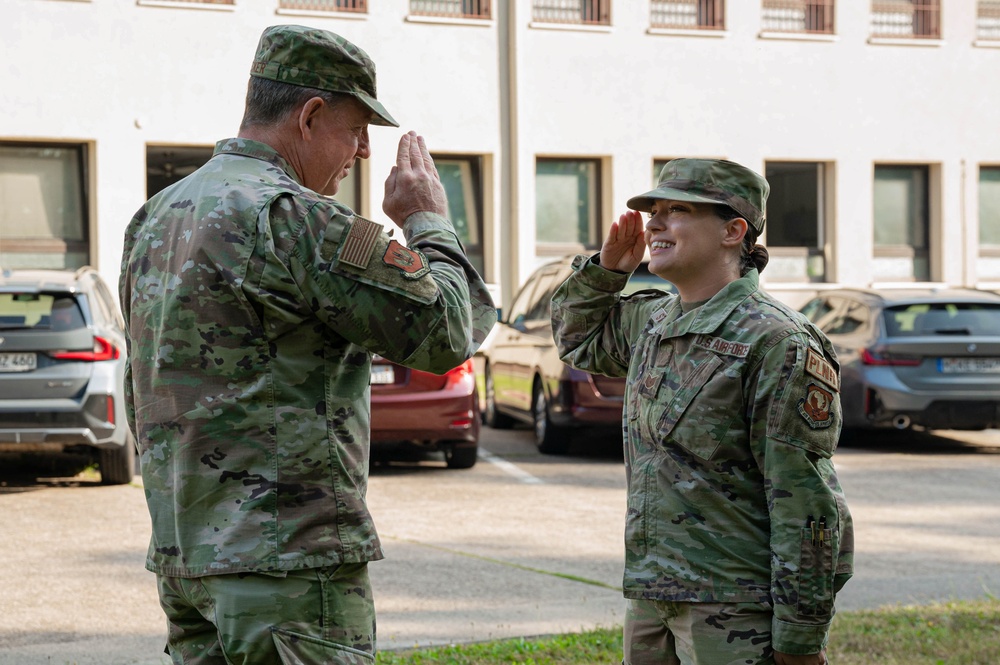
x=424 y=411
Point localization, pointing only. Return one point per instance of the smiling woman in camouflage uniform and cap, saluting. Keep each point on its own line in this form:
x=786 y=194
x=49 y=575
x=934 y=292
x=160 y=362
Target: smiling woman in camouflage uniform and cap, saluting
x=737 y=533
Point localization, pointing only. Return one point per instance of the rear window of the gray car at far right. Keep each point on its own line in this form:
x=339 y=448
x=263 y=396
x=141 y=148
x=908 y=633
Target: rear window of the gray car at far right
x=942 y=319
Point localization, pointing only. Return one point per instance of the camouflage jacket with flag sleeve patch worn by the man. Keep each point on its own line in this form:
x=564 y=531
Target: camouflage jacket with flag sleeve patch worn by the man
x=253 y=307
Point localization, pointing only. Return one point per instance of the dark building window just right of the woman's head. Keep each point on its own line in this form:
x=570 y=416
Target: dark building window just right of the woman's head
x=795 y=228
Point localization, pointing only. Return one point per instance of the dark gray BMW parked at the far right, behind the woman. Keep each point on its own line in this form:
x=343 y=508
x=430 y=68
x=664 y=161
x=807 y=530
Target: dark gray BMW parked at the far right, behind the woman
x=915 y=357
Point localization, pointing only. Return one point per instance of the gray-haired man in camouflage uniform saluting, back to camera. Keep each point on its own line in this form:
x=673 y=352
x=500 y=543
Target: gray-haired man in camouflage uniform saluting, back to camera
x=253 y=305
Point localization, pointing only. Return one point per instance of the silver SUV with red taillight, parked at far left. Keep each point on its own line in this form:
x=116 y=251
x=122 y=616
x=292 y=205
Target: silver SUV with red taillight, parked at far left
x=62 y=368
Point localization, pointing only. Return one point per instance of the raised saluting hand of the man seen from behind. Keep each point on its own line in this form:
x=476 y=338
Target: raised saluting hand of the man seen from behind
x=413 y=184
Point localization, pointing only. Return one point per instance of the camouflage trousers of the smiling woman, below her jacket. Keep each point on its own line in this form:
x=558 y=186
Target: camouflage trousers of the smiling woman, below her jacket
x=678 y=633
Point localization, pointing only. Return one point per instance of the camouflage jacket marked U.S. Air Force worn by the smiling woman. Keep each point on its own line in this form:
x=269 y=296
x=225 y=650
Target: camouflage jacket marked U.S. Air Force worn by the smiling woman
x=732 y=413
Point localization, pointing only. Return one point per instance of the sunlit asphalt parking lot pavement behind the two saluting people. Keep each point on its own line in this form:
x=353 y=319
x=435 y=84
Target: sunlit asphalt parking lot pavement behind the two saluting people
x=522 y=544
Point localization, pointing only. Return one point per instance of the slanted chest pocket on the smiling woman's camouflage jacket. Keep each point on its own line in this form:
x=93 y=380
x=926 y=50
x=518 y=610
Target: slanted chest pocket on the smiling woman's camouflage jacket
x=699 y=425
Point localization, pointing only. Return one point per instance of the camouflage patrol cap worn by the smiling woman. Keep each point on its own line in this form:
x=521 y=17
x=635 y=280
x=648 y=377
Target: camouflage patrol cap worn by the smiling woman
x=710 y=181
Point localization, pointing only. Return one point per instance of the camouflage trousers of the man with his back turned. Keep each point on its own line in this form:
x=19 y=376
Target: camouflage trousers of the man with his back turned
x=302 y=617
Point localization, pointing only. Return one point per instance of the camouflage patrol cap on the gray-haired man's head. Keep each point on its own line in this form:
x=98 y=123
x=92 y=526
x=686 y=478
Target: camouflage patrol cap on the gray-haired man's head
x=319 y=59
